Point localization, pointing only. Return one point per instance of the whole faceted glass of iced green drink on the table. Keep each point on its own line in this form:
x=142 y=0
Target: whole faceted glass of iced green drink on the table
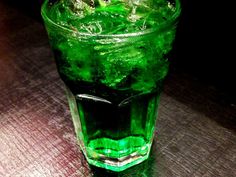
x=112 y=57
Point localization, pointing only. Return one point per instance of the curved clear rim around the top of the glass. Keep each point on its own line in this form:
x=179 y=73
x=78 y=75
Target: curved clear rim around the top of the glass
x=160 y=27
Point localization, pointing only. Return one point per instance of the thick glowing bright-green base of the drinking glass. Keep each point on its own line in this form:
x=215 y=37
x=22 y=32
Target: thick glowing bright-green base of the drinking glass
x=116 y=159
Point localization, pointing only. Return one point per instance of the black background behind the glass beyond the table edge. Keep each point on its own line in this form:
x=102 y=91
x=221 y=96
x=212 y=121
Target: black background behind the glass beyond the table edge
x=204 y=46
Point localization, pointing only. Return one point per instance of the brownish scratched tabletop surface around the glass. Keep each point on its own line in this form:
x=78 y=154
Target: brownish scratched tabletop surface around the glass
x=195 y=134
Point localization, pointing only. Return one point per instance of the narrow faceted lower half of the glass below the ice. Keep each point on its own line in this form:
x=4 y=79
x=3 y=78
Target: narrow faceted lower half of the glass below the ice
x=114 y=135
